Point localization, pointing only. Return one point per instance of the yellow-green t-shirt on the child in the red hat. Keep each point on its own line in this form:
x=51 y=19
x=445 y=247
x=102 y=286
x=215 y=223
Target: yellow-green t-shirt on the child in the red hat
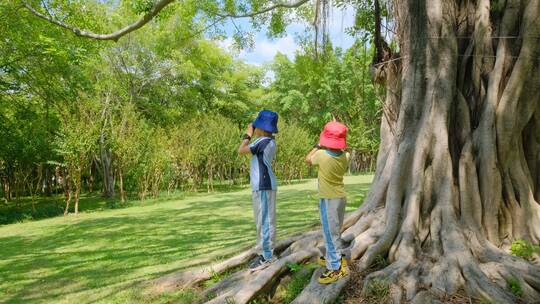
x=332 y=167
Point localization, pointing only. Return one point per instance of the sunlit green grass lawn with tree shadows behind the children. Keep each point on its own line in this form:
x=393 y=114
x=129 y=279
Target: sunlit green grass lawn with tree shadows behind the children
x=99 y=257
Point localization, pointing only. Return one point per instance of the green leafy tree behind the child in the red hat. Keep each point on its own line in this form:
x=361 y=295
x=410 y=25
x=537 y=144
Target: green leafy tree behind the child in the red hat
x=335 y=84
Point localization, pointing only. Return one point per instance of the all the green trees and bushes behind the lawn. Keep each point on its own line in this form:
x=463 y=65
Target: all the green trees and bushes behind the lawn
x=167 y=105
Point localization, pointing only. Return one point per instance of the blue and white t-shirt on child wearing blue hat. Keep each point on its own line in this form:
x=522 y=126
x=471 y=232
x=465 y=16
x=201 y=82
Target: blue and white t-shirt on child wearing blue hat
x=260 y=172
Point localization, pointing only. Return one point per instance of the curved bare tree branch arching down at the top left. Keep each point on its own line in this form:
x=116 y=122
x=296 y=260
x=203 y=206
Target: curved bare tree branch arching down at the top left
x=158 y=6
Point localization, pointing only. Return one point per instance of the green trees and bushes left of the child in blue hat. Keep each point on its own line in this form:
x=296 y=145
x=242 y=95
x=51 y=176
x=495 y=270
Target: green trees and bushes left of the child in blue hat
x=130 y=98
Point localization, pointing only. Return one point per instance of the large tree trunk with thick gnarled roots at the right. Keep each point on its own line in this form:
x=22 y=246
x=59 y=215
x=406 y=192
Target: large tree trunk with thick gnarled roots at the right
x=463 y=157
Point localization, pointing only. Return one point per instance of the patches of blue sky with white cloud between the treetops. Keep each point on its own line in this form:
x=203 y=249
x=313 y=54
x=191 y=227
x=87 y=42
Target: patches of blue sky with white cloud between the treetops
x=266 y=48
